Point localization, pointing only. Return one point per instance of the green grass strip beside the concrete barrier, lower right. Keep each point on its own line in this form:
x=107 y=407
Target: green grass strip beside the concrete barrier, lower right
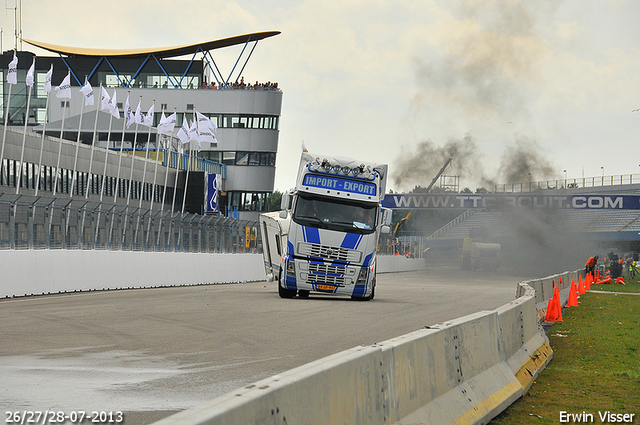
x=595 y=366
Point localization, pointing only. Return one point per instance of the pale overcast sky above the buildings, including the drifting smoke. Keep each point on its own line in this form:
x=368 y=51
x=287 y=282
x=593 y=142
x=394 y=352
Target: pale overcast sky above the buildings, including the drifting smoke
x=506 y=87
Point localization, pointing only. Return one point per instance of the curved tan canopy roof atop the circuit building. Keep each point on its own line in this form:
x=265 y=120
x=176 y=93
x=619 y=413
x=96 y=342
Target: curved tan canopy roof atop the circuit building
x=166 y=52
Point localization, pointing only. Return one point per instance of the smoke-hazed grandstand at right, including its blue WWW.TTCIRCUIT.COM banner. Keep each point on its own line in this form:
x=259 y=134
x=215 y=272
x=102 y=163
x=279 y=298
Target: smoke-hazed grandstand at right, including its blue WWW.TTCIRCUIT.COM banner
x=548 y=228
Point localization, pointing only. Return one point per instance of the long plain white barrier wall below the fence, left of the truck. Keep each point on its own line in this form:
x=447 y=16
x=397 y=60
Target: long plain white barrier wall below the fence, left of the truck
x=29 y=272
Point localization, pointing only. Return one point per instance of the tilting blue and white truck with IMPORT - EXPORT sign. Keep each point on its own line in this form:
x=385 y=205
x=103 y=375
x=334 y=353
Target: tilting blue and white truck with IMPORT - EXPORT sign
x=326 y=236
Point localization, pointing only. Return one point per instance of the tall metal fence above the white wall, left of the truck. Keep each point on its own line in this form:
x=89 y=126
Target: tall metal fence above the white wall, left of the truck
x=28 y=222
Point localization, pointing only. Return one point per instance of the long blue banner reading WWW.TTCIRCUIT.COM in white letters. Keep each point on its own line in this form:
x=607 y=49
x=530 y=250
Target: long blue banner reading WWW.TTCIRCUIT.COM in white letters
x=500 y=201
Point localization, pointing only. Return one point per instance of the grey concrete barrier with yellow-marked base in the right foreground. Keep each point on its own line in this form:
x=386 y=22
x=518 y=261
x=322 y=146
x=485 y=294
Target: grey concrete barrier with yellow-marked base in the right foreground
x=463 y=371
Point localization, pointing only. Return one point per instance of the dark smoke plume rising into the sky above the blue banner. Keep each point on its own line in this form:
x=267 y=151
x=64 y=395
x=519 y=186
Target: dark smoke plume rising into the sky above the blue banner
x=483 y=74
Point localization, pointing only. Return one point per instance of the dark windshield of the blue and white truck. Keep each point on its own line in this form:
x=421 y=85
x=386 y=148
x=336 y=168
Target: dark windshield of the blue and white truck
x=335 y=214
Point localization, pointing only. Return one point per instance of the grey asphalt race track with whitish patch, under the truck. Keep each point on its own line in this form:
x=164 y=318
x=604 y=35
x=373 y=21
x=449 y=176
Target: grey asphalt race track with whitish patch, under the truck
x=153 y=352
